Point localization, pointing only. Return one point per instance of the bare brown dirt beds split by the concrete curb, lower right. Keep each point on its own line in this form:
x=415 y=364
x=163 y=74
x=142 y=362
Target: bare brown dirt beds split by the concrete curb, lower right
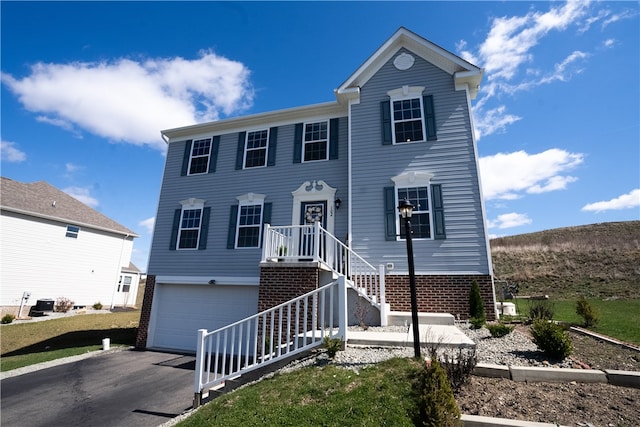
x=569 y=404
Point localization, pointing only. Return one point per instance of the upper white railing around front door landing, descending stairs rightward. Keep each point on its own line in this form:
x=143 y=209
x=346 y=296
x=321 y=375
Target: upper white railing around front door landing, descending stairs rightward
x=313 y=243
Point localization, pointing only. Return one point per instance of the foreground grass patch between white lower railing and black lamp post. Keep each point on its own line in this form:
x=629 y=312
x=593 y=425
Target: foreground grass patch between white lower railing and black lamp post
x=380 y=395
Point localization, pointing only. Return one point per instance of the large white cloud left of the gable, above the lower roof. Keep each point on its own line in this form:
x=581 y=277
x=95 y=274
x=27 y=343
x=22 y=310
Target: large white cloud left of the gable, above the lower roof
x=131 y=101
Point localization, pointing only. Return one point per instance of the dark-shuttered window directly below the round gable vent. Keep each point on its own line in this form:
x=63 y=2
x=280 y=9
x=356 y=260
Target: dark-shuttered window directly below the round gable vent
x=408 y=116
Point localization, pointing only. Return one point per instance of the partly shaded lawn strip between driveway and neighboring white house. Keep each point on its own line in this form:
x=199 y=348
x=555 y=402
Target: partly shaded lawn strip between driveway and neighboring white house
x=29 y=343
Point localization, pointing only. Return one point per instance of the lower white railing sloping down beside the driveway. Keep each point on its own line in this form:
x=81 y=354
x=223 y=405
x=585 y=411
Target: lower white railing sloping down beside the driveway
x=272 y=335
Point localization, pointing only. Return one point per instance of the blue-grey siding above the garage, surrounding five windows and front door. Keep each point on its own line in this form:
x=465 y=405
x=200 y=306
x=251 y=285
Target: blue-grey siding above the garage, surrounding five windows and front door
x=220 y=189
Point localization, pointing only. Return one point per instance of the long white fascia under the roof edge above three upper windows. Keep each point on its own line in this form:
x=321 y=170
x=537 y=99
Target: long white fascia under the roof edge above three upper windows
x=268 y=119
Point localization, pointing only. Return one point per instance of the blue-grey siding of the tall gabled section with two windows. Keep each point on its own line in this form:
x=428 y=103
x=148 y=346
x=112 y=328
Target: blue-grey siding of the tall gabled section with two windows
x=450 y=158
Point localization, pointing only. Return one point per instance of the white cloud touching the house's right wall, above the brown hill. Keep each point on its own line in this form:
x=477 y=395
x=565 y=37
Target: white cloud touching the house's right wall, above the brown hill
x=509 y=175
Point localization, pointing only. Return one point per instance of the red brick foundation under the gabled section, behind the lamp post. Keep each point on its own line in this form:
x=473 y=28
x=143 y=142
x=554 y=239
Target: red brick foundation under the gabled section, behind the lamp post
x=439 y=294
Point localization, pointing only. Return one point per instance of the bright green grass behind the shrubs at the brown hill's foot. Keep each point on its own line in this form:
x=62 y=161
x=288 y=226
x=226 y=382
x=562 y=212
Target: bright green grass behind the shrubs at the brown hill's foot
x=618 y=318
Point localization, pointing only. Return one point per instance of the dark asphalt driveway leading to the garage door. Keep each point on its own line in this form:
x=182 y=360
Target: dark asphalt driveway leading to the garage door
x=123 y=388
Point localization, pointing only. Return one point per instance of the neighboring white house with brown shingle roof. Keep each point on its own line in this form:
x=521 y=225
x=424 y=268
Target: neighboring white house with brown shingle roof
x=53 y=246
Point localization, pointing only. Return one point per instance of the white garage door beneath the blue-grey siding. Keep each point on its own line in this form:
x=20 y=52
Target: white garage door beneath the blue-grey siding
x=183 y=309
